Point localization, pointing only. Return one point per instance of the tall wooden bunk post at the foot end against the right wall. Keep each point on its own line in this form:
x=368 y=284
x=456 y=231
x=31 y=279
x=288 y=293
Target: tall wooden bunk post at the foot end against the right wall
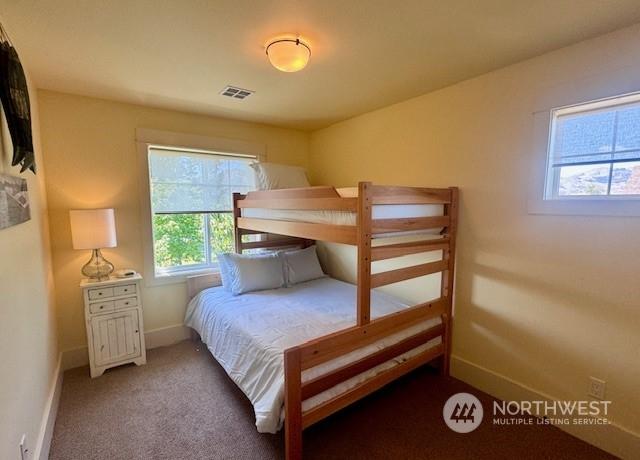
x=446 y=289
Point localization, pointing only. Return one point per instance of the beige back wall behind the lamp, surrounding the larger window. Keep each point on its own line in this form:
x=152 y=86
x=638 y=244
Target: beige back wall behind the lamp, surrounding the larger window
x=91 y=161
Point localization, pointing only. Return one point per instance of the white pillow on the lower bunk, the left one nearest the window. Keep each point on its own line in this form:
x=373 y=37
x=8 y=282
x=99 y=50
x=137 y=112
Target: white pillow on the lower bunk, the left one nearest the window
x=246 y=273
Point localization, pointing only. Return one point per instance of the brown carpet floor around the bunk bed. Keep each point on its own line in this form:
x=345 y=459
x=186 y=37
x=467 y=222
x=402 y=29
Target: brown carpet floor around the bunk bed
x=182 y=405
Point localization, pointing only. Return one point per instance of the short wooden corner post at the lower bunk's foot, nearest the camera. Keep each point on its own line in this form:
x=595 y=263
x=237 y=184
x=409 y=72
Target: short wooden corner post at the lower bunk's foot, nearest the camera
x=293 y=404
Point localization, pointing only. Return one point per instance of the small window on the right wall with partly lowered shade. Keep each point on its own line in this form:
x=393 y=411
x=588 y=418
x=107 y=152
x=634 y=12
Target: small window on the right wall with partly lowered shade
x=594 y=150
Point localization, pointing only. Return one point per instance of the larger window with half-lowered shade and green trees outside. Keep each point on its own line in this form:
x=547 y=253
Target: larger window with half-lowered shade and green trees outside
x=191 y=206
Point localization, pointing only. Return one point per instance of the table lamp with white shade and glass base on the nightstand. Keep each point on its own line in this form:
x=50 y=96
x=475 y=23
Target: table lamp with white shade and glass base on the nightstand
x=94 y=229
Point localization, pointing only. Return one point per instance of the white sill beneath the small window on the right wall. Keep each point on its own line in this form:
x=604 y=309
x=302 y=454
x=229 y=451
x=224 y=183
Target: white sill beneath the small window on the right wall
x=586 y=207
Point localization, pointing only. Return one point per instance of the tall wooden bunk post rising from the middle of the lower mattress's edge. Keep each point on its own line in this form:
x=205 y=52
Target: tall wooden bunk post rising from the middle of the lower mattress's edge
x=364 y=228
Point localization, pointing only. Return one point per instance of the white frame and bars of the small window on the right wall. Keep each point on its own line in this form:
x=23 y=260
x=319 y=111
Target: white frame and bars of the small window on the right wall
x=552 y=175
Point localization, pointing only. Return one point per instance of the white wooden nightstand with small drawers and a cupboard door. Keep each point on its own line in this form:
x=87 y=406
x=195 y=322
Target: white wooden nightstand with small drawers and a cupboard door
x=113 y=314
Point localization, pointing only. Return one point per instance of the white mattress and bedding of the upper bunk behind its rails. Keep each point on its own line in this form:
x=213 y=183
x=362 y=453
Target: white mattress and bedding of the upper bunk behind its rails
x=379 y=211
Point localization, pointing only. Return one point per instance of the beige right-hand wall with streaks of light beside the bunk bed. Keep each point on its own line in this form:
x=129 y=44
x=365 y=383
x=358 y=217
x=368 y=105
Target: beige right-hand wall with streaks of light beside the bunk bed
x=546 y=301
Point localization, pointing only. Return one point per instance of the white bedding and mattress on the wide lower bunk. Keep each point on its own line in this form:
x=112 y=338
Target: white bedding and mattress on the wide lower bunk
x=248 y=334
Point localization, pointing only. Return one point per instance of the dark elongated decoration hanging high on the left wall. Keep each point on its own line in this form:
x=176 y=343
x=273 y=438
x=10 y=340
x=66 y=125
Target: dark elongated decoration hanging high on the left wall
x=14 y=96
